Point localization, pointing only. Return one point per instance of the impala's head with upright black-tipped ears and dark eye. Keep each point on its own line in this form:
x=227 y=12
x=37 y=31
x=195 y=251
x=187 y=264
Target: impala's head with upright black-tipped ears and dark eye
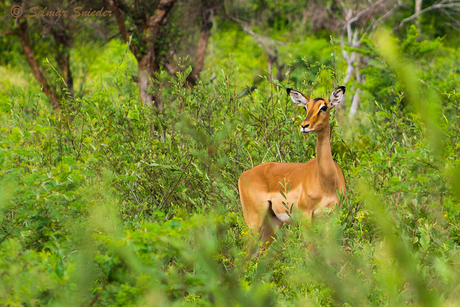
x=318 y=109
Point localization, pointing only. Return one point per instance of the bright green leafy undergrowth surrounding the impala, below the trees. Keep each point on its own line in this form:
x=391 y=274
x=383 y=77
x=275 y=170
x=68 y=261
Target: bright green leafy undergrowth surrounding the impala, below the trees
x=114 y=204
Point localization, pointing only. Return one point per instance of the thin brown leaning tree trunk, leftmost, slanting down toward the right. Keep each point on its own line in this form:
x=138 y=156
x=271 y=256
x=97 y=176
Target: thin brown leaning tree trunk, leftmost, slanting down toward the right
x=32 y=61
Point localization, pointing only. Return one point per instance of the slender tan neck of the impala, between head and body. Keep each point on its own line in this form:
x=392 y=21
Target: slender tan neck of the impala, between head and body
x=327 y=172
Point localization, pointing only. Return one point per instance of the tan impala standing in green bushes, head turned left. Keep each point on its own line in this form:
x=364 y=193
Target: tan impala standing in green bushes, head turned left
x=314 y=186
